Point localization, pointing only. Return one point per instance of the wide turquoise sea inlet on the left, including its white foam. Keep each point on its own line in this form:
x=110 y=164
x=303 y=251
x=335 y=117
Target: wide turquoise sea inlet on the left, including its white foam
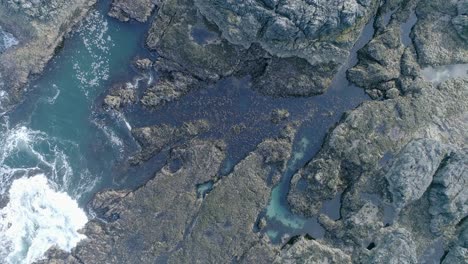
x=60 y=143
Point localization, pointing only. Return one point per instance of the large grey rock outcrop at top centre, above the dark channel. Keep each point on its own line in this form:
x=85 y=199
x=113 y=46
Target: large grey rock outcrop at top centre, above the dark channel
x=289 y=49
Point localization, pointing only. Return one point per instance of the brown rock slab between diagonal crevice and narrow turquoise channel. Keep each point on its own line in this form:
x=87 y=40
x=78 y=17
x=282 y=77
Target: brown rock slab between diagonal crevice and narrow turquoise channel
x=225 y=226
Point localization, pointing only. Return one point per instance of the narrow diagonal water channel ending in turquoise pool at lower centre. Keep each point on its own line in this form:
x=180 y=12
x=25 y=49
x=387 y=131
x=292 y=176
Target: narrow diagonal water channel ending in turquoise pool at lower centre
x=342 y=96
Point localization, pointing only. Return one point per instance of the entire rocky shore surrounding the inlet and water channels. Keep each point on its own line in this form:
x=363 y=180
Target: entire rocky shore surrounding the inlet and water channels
x=398 y=162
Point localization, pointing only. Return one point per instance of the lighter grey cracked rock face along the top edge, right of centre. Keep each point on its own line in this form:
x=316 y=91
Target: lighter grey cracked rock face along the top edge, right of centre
x=318 y=31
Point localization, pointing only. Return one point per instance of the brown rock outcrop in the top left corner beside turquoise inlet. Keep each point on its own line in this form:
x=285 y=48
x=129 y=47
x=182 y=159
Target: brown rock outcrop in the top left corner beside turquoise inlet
x=39 y=27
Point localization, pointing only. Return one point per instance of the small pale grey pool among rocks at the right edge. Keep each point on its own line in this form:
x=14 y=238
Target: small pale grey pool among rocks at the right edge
x=440 y=74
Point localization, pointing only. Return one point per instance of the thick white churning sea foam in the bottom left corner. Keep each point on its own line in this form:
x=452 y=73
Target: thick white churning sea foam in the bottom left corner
x=36 y=218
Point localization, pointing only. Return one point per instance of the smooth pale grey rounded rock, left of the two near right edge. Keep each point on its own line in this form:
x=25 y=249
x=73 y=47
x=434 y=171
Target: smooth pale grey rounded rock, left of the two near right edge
x=412 y=170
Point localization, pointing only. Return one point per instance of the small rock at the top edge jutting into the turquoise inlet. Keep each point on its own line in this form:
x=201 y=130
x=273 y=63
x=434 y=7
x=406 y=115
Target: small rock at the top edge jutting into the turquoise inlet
x=139 y=10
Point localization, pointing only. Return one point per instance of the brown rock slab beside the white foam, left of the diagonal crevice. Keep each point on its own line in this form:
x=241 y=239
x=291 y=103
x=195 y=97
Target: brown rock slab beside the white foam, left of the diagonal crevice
x=168 y=204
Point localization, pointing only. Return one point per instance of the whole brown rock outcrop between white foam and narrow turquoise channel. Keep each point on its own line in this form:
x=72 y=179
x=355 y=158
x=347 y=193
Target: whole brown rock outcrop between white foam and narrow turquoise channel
x=185 y=227
